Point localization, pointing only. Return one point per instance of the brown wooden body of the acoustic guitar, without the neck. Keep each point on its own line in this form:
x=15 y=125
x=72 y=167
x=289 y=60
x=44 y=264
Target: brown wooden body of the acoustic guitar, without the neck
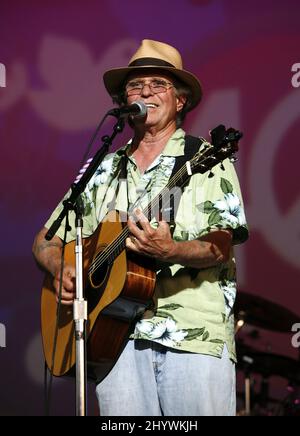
x=117 y=295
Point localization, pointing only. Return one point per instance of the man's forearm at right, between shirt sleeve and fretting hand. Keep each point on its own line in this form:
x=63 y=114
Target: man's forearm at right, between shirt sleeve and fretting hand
x=197 y=254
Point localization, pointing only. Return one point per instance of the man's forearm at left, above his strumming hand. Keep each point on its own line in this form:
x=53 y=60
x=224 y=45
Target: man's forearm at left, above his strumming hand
x=47 y=253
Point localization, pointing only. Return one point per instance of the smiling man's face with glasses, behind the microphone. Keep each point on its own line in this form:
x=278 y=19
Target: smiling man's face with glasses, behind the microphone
x=162 y=106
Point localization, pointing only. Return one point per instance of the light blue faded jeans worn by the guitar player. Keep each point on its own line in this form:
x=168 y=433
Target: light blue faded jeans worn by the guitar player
x=152 y=380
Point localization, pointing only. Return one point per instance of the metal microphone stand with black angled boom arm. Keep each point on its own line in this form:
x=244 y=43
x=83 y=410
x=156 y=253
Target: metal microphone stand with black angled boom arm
x=80 y=304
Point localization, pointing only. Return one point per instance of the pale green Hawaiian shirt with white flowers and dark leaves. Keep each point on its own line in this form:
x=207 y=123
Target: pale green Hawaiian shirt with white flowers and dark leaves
x=193 y=308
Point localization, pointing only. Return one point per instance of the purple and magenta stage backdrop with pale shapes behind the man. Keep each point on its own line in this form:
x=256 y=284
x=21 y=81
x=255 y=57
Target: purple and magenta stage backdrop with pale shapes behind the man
x=52 y=58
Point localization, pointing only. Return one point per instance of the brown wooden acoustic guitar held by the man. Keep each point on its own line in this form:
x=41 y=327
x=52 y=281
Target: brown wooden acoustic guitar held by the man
x=119 y=286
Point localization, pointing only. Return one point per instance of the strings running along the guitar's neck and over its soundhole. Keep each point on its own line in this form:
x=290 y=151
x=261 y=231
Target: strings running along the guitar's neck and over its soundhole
x=103 y=256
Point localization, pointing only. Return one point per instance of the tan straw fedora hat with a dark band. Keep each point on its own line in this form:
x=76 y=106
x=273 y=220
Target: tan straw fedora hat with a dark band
x=154 y=55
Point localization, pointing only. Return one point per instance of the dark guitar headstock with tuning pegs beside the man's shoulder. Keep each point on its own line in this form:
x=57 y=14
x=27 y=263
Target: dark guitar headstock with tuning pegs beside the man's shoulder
x=224 y=144
